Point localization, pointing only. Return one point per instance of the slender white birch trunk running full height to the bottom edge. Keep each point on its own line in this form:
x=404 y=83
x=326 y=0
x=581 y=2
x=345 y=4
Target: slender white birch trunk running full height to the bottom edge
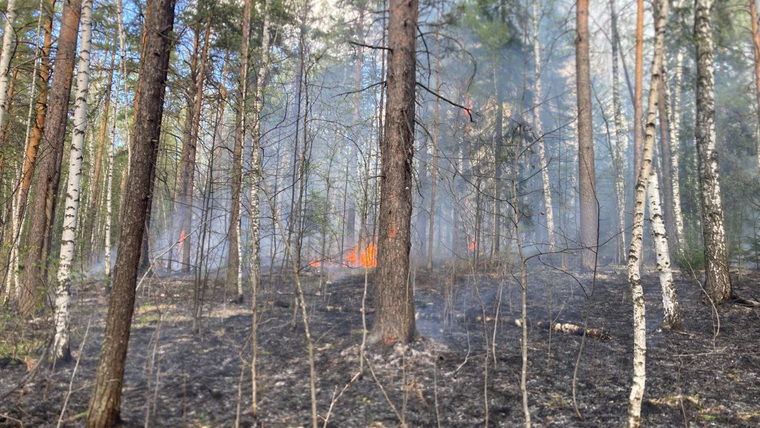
x=637 y=231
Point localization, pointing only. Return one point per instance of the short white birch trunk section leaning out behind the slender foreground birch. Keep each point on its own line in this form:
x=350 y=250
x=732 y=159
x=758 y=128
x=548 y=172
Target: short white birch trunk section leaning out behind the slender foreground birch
x=671 y=311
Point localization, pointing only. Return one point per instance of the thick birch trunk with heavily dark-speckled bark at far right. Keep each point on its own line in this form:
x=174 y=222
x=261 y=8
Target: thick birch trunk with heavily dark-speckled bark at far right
x=717 y=279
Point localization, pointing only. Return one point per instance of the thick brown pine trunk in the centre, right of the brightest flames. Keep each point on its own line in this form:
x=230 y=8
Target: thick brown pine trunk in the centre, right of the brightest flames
x=394 y=296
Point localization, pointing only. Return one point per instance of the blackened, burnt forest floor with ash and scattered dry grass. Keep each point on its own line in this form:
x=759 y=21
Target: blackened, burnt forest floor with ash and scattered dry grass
x=706 y=375
